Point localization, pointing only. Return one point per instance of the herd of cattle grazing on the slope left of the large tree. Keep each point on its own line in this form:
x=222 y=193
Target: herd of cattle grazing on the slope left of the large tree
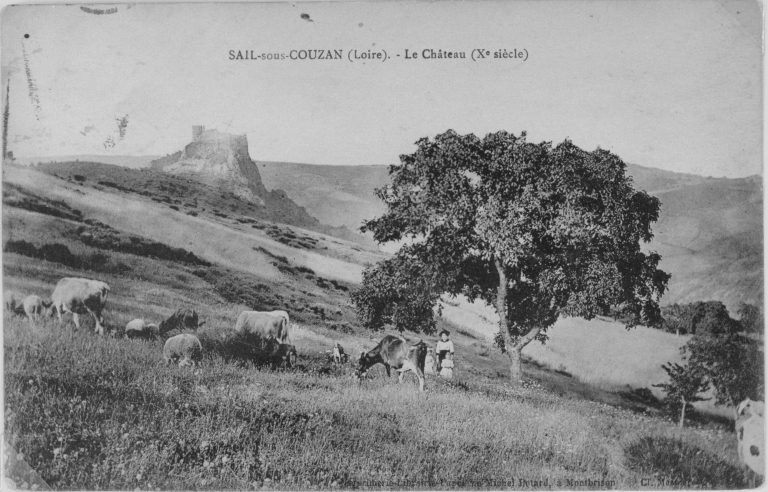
x=81 y=296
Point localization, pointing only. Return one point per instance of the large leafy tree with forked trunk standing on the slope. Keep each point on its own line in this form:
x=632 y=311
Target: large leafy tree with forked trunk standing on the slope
x=534 y=230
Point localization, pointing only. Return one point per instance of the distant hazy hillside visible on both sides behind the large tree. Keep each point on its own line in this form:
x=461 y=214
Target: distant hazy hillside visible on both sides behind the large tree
x=710 y=233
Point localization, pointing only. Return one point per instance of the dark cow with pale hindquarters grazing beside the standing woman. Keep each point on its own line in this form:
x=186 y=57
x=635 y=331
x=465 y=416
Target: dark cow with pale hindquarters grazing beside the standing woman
x=395 y=352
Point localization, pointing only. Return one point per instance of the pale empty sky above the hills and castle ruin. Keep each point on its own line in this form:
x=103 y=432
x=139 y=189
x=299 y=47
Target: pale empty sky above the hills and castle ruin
x=673 y=85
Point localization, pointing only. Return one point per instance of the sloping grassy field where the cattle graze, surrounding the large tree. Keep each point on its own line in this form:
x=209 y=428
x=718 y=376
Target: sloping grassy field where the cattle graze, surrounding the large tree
x=106 y=413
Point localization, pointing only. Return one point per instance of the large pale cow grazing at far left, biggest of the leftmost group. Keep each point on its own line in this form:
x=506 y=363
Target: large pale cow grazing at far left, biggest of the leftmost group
x=81 y=296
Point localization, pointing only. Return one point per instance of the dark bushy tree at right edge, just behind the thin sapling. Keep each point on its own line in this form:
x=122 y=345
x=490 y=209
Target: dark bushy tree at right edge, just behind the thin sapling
x=732 y=366
